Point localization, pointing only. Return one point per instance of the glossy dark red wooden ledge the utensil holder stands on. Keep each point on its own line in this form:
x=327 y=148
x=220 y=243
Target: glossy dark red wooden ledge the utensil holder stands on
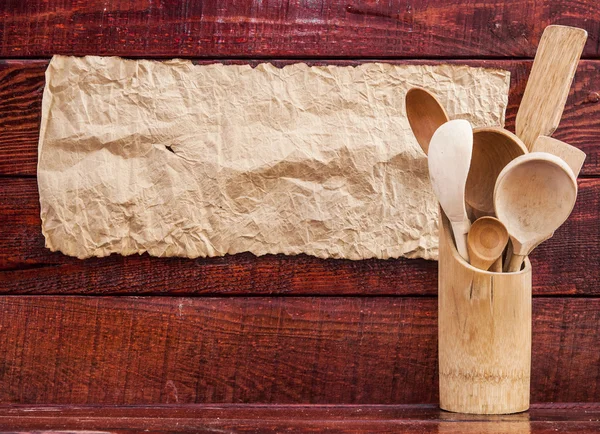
x=581 y=418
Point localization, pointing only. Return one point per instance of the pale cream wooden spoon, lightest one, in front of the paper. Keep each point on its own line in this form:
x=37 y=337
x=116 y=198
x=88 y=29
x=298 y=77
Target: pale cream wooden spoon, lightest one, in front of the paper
x=449 y=159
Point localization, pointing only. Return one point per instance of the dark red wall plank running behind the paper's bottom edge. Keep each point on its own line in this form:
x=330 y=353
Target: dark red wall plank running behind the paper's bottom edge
x=565 y=264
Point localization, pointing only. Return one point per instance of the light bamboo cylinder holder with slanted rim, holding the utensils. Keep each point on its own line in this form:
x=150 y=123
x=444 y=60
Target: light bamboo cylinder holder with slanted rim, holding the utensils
x=484 y=334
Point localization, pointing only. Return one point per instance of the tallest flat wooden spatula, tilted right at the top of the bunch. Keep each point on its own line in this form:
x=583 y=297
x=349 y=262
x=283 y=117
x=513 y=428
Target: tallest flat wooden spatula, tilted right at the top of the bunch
x=549 y=82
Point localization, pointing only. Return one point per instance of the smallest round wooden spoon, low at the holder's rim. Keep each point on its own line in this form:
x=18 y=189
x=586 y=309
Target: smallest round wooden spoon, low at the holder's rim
x=486 y=242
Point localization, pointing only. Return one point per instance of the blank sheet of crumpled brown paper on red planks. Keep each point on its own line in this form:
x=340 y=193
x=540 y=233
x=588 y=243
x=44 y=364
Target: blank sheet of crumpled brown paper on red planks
x=177 y=159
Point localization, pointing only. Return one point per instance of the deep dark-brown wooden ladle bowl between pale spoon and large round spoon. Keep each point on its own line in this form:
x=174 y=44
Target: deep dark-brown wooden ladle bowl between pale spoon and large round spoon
x=493 y=149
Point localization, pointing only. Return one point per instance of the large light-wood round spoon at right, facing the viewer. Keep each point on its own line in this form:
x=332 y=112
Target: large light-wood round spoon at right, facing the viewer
x=534 y=195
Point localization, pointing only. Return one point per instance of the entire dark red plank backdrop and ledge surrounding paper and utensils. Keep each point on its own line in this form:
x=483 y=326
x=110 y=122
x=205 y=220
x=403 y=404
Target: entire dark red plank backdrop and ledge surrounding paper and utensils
x=306 y=344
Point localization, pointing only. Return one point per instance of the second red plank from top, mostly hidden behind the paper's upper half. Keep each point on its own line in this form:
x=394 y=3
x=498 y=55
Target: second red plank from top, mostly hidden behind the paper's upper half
x=22 y=82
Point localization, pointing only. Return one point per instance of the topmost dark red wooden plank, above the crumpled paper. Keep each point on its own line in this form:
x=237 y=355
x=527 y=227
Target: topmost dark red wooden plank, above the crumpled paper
x=248 y=28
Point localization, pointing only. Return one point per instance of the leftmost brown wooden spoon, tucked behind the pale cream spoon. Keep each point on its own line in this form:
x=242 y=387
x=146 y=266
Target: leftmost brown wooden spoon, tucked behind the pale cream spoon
x=425 y=115
